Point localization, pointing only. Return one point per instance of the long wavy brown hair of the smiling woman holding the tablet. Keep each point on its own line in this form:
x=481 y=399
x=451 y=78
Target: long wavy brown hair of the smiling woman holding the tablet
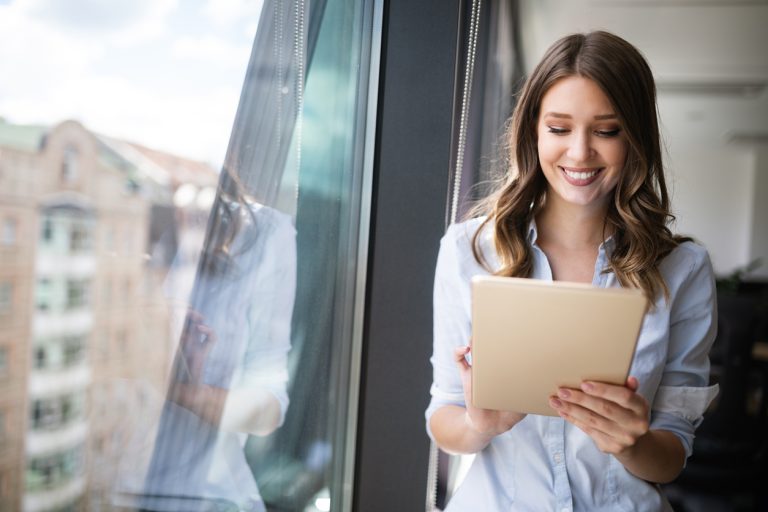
x=639 y=214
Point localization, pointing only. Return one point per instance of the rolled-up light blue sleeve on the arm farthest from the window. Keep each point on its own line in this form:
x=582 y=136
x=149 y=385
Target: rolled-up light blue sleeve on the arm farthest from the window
x=684 y=393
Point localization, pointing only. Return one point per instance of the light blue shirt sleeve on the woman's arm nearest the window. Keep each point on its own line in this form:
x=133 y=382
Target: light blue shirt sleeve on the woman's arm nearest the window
x=451 y=317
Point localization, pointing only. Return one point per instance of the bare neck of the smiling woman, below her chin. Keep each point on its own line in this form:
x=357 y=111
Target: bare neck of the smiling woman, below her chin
x=571 y=226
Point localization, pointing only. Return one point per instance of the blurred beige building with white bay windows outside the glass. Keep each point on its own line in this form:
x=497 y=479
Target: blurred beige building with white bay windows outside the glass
x=89 y=227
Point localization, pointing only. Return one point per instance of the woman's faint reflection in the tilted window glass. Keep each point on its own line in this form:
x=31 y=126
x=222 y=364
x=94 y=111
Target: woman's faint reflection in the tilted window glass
x=231 y=367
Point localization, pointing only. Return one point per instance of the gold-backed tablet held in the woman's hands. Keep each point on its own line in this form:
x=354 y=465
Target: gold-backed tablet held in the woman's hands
x=530 y=337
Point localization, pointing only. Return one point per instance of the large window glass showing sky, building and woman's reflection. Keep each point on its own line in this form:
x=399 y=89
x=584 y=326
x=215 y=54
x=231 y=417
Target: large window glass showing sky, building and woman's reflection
x=181 y=309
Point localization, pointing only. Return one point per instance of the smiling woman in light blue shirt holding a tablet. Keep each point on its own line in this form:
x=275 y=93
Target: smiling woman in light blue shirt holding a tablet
x=587 y=202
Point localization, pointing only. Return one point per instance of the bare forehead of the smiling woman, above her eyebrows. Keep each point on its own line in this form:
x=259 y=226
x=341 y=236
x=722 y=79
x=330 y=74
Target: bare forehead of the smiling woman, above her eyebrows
x=576 y=95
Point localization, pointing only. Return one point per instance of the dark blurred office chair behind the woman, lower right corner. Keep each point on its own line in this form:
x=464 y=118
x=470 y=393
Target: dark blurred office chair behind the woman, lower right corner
x=730 y=452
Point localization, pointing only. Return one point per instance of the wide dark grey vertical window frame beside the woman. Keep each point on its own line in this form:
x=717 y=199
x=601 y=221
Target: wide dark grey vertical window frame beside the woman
x=412 y=168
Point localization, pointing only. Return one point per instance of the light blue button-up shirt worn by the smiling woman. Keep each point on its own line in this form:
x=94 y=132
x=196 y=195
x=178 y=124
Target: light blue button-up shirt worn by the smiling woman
x=545 y=463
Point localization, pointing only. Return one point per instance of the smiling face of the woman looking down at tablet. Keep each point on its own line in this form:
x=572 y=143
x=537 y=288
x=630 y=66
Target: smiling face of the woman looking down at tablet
x=581 y=145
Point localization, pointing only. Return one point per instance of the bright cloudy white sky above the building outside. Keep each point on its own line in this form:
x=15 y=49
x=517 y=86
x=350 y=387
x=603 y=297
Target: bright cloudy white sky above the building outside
x=163 y=73
